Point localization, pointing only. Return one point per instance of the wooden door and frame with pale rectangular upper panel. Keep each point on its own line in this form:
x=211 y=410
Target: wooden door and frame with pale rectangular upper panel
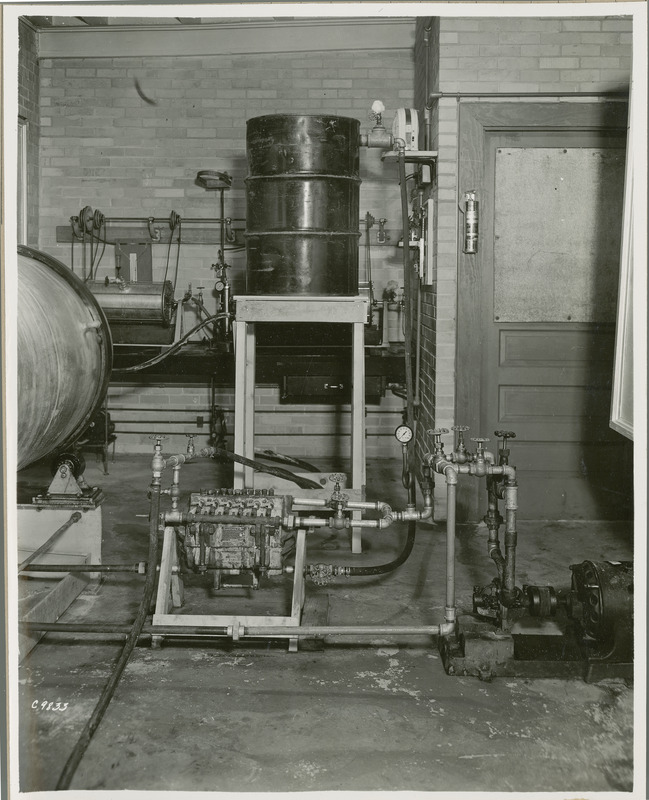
x=537 y=303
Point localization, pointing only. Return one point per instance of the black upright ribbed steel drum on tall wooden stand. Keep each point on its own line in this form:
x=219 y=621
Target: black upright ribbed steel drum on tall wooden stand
x=302 y=205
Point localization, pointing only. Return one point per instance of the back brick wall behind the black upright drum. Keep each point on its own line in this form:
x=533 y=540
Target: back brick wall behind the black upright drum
x=103 y=145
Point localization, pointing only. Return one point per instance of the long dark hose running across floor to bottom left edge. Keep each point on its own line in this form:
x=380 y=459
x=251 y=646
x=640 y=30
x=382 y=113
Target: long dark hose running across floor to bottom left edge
x=109 y=690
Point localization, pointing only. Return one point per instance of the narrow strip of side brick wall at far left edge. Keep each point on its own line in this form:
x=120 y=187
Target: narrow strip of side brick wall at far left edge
x=28 y=109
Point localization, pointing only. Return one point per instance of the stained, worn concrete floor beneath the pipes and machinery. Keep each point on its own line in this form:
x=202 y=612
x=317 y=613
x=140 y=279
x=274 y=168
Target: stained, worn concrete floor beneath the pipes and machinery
x=367 y=715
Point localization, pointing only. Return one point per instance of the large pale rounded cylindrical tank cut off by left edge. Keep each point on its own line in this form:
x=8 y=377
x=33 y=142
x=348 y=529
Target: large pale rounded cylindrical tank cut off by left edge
x=64 y=355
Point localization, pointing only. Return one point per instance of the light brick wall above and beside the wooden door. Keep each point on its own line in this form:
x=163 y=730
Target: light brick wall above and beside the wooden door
x=496 y=54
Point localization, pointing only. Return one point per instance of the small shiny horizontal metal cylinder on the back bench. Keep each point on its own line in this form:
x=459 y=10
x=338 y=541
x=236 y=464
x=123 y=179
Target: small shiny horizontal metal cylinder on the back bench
x=135 y=303
